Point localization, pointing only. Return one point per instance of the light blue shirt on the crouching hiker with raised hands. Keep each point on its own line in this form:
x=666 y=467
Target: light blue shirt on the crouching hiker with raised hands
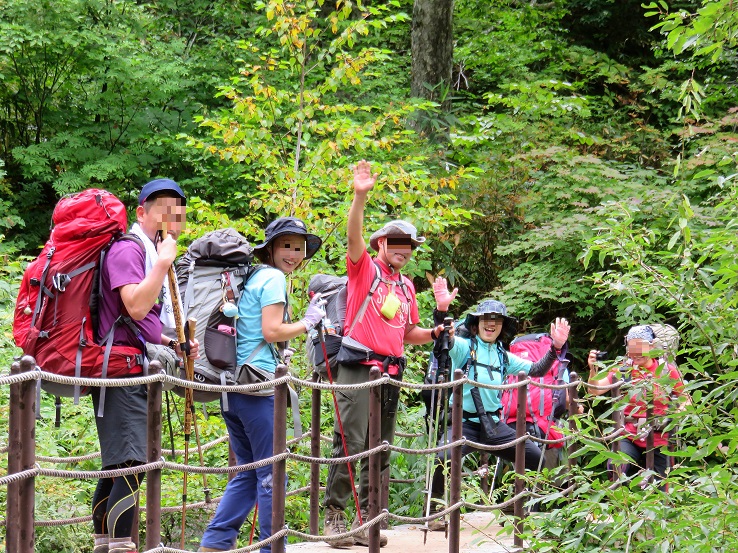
x=489 y=361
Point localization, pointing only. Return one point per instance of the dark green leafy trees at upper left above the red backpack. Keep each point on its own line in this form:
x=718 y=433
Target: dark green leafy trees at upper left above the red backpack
x=93 y=94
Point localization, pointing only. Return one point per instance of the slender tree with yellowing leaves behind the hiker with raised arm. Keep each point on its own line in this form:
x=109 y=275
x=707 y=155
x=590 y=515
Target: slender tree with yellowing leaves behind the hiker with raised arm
x=294 y=143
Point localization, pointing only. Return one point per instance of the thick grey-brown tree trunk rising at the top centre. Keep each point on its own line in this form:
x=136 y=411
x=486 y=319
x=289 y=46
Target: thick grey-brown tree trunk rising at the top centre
x=432 y=49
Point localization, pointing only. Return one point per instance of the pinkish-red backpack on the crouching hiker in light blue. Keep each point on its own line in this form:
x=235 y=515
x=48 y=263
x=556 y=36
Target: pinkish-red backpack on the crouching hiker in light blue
x=544 y=404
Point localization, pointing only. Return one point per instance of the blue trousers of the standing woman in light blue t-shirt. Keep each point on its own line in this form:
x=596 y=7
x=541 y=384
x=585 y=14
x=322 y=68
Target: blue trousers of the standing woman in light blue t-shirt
x=250 y=423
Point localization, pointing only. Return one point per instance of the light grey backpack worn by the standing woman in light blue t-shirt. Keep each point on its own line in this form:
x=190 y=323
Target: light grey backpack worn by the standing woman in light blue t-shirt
x=211 y=273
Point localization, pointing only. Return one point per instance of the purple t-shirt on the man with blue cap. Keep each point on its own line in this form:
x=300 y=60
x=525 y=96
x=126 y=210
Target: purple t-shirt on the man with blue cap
x=125 y=264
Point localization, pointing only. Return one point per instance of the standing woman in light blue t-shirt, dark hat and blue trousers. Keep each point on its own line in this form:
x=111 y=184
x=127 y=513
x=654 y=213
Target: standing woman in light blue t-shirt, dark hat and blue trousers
x=262 y=322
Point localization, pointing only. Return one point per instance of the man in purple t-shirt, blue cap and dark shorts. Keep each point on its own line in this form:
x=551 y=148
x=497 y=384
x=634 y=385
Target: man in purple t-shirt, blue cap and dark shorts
x=134 y=290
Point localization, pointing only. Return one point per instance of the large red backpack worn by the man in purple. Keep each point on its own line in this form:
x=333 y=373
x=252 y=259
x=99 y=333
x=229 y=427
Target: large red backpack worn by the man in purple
x=55 y=317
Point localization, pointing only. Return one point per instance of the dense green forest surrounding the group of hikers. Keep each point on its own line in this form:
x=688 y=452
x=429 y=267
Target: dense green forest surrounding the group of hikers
x=573 y=158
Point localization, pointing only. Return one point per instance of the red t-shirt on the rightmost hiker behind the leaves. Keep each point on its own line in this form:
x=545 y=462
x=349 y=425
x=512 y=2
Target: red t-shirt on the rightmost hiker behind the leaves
x=638 y=404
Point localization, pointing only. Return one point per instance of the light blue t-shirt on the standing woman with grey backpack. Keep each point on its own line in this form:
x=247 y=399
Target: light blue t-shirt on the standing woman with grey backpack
x=267 y=287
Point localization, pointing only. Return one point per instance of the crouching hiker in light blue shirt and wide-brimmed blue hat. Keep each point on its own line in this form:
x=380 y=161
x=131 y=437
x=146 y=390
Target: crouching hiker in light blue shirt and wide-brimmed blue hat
x=481 y=350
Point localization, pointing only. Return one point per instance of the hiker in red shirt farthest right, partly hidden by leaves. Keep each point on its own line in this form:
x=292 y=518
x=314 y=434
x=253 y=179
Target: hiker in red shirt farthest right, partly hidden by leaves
x=657 y=383
